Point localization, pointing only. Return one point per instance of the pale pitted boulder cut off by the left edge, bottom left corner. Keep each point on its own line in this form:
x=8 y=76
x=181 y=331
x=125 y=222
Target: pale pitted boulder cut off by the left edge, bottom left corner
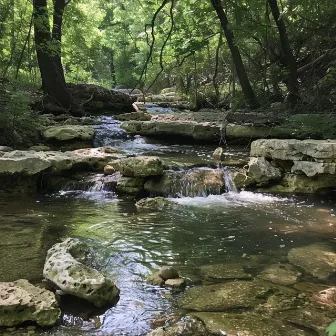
x=22 y=302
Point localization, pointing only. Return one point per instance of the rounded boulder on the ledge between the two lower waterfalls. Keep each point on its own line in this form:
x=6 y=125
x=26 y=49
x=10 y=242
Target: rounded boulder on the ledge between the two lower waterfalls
x=139 y=166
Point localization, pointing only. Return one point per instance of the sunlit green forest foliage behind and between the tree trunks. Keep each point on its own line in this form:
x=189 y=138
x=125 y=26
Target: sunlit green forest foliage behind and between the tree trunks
x=132 y=44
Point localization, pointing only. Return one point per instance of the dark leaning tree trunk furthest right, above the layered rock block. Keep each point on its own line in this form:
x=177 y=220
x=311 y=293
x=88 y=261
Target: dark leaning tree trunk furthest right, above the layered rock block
x=293 y=90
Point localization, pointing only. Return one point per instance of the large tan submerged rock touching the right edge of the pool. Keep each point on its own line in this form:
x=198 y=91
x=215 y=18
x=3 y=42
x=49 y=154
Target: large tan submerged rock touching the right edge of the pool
x=318 y=260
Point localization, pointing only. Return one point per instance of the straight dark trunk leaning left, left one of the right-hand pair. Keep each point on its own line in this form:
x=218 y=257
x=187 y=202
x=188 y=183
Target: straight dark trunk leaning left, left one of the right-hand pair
x=248 y=92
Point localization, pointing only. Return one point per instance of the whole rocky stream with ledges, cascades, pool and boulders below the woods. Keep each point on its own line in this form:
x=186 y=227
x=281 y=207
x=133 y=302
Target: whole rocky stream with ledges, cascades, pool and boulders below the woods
x=246 y=231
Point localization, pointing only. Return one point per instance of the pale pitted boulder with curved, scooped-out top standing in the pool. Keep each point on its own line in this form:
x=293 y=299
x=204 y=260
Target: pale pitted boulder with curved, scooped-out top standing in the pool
x=66 y=267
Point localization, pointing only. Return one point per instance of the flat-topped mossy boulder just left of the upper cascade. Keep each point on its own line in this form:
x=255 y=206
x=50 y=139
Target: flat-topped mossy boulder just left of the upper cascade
x=69 y=132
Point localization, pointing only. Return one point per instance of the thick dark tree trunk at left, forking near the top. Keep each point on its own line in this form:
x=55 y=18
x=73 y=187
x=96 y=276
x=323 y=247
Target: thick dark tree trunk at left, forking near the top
x=49 y=58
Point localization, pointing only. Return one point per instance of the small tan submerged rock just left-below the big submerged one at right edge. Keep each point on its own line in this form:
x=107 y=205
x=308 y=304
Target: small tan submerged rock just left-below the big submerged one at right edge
x=282 y=274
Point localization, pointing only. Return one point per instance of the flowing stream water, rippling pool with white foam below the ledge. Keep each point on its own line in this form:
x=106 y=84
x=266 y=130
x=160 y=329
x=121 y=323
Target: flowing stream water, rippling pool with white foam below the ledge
x=130 y=244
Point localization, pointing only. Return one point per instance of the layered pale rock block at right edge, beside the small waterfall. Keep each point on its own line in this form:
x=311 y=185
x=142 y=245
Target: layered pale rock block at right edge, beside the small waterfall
x=293 y=166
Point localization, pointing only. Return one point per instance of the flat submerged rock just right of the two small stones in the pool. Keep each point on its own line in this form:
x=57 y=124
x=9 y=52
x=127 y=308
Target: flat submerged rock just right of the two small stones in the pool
x=219 y=272
